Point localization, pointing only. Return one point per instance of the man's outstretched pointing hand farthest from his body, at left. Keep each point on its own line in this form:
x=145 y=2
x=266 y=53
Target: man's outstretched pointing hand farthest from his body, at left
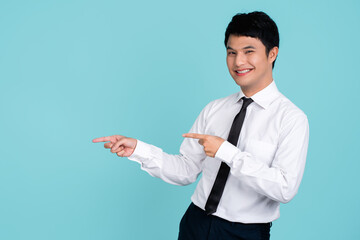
x=121 y=145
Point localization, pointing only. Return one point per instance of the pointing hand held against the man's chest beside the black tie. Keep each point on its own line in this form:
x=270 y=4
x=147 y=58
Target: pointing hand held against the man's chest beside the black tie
x=211 y=143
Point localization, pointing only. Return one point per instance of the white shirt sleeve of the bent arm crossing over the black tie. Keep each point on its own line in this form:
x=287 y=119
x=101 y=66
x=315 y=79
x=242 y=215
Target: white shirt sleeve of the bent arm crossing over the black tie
x=281 y=179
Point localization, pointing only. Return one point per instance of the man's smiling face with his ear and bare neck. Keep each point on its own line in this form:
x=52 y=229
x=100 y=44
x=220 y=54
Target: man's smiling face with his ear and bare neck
x=248 y=63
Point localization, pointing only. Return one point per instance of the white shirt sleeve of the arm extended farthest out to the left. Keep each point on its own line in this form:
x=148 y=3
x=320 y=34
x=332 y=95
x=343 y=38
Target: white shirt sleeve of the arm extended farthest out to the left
x=181 y=169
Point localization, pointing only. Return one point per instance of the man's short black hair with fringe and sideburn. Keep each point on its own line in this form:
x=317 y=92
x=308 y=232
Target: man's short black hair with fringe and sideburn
x=257 y=25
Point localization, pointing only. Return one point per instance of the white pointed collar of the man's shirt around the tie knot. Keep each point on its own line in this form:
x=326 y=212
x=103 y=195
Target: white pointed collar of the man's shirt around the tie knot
x=264 y=97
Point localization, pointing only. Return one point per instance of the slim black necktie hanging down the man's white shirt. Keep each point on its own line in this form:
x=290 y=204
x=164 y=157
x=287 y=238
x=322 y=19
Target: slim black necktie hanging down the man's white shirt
x=219 y=184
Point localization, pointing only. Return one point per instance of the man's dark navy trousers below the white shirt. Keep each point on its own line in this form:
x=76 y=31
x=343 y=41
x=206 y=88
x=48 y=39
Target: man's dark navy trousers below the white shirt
x=197 y=225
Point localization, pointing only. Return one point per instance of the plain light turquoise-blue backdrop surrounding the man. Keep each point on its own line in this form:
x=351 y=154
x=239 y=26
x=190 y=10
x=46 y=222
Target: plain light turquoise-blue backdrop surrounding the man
x=71 y=71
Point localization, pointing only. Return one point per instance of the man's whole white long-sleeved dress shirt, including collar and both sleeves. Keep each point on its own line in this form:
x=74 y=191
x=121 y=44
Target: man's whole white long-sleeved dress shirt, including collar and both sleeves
x=267 y=164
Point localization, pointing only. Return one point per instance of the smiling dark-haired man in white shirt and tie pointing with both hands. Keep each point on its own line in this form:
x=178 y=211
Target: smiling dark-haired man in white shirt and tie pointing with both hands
x=250 y=146
